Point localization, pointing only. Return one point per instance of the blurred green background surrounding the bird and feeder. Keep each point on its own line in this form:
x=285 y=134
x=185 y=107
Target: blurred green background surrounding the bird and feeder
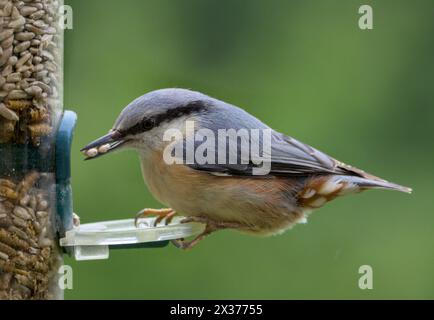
x=304 y=68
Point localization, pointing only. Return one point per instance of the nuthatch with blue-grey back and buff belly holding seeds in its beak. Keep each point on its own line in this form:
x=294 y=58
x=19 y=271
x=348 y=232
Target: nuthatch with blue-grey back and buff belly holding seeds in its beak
x=226 y=194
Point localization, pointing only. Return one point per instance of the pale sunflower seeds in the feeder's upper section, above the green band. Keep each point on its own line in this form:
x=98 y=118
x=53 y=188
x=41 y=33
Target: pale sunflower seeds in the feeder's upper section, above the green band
x=30 y=69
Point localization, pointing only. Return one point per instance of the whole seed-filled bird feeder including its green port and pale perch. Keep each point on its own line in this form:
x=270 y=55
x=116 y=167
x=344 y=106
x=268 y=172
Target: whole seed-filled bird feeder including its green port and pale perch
x=36 y=213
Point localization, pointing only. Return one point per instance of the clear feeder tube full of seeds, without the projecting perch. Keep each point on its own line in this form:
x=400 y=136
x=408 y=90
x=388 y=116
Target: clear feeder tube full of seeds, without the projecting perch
x=31 y=102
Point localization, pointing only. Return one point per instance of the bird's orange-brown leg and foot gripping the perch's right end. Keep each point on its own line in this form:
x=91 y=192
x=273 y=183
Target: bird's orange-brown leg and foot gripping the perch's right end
x=211 y=226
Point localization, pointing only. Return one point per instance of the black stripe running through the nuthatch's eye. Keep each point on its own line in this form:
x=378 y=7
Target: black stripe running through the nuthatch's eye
x=149 y=123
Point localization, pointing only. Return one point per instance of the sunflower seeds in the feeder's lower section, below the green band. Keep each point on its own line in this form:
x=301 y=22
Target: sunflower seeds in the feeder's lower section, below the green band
x=27 y=249
